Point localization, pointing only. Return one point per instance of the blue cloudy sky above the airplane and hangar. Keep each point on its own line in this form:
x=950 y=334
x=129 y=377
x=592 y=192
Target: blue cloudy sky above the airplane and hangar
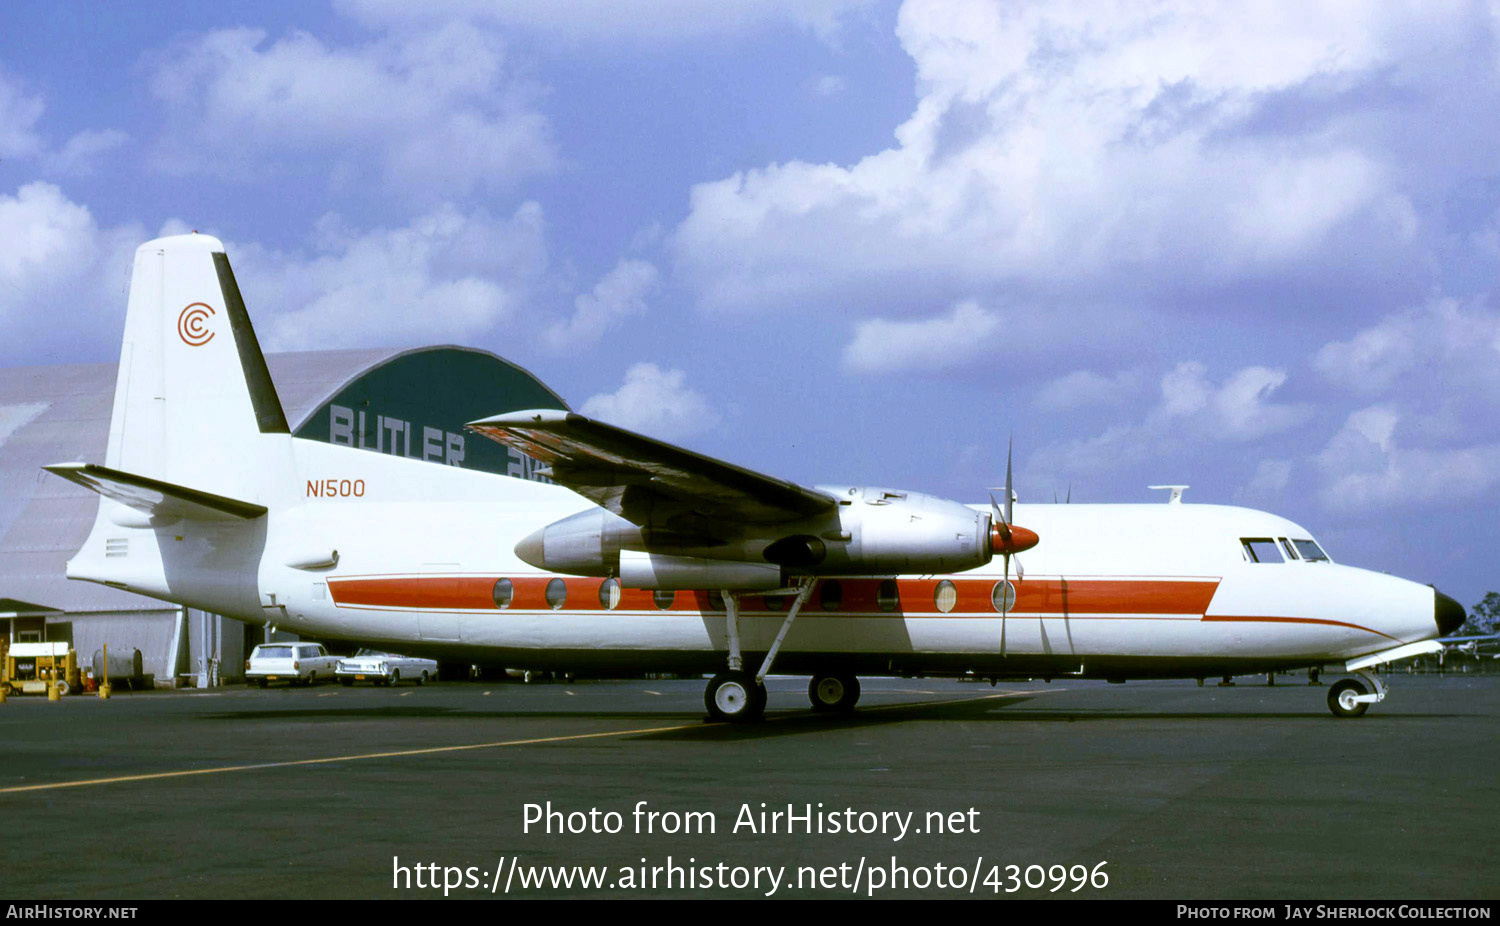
x=1247 y=248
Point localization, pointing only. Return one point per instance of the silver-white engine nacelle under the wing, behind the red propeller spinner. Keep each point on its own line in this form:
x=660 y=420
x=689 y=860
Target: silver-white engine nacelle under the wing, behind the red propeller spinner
x=869 y=532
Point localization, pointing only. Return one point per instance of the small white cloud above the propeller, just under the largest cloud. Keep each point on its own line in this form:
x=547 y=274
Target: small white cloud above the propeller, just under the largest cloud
x=935 y=344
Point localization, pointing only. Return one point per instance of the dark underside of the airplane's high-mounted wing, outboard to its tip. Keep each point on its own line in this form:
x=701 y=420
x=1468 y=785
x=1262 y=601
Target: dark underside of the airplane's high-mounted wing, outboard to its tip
x=634 y=475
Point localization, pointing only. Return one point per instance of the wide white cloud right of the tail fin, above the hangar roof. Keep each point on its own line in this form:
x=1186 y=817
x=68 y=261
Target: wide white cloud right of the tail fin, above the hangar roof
x=445 y=277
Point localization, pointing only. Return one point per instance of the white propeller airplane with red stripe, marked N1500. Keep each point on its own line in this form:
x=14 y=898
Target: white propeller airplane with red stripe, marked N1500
x=209 y=502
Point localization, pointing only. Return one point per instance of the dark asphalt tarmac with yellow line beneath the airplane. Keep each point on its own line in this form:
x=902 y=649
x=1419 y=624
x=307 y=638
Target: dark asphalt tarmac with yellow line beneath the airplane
x=1145 y=790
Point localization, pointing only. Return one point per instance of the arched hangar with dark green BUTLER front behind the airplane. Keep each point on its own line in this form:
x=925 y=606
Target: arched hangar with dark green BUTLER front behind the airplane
x=410 y=403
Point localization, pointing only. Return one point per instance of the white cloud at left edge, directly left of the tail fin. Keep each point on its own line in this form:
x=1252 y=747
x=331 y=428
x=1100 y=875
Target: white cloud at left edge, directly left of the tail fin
x=64 y=278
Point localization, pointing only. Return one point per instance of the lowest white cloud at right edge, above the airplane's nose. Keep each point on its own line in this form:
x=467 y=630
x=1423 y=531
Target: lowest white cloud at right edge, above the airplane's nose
x=1366 y=469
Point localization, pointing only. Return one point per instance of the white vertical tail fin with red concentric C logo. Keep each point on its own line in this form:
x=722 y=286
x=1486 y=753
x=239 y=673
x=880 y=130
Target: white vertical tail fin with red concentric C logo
x=193 y=394
